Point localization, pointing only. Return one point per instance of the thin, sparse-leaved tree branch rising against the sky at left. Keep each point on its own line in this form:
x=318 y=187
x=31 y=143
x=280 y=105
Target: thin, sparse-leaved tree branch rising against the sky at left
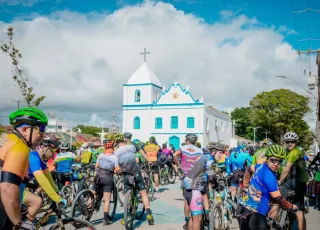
x=18 y=76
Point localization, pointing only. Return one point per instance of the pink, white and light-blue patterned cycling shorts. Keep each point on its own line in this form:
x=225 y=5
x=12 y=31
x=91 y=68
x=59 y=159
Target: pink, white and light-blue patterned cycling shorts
x=195 y=201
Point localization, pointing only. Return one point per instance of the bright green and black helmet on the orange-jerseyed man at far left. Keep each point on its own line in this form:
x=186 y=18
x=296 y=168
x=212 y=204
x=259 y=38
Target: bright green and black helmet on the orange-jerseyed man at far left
x=31 y=116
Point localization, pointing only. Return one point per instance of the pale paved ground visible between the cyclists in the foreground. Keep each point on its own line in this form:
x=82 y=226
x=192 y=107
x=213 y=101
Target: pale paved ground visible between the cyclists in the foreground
x=168 y=213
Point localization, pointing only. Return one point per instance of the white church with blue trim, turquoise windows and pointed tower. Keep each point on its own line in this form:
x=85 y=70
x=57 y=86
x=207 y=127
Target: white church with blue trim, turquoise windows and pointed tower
x=149 y=109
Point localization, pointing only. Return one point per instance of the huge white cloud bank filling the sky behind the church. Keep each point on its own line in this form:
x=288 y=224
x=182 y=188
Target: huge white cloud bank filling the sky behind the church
x=80 y=63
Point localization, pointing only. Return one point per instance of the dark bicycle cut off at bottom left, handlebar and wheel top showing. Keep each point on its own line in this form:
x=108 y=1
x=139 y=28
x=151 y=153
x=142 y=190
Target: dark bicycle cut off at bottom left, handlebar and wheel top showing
x=60 y=223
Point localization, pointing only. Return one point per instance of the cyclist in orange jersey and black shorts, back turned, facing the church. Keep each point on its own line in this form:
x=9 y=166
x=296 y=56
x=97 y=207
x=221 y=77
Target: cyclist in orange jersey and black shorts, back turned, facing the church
x=152 y=150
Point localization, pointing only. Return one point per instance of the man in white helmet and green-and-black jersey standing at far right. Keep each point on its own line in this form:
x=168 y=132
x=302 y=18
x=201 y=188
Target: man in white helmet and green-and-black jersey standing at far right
x=294 y=176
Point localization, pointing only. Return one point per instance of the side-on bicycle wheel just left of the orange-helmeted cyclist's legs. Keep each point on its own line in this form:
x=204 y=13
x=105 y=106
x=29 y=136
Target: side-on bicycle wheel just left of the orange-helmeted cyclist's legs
x=80 y=205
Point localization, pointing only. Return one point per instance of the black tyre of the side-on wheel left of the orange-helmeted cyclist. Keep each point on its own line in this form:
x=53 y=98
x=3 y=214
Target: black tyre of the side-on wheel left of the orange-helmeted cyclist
x=83 y=209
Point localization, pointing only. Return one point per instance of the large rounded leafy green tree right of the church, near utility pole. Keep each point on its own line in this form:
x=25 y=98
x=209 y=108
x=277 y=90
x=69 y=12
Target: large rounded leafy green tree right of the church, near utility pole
x=279 y=111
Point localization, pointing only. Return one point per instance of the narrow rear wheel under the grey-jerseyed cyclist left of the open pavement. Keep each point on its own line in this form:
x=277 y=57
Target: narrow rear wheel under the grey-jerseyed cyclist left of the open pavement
x=128 y=210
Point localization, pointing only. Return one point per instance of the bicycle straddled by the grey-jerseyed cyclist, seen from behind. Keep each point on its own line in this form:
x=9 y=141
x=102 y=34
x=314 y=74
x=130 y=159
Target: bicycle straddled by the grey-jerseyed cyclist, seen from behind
x=131 y=203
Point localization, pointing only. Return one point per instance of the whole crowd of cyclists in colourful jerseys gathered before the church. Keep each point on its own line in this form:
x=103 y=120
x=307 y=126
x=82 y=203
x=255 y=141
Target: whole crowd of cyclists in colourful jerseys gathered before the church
x=261 y=182
